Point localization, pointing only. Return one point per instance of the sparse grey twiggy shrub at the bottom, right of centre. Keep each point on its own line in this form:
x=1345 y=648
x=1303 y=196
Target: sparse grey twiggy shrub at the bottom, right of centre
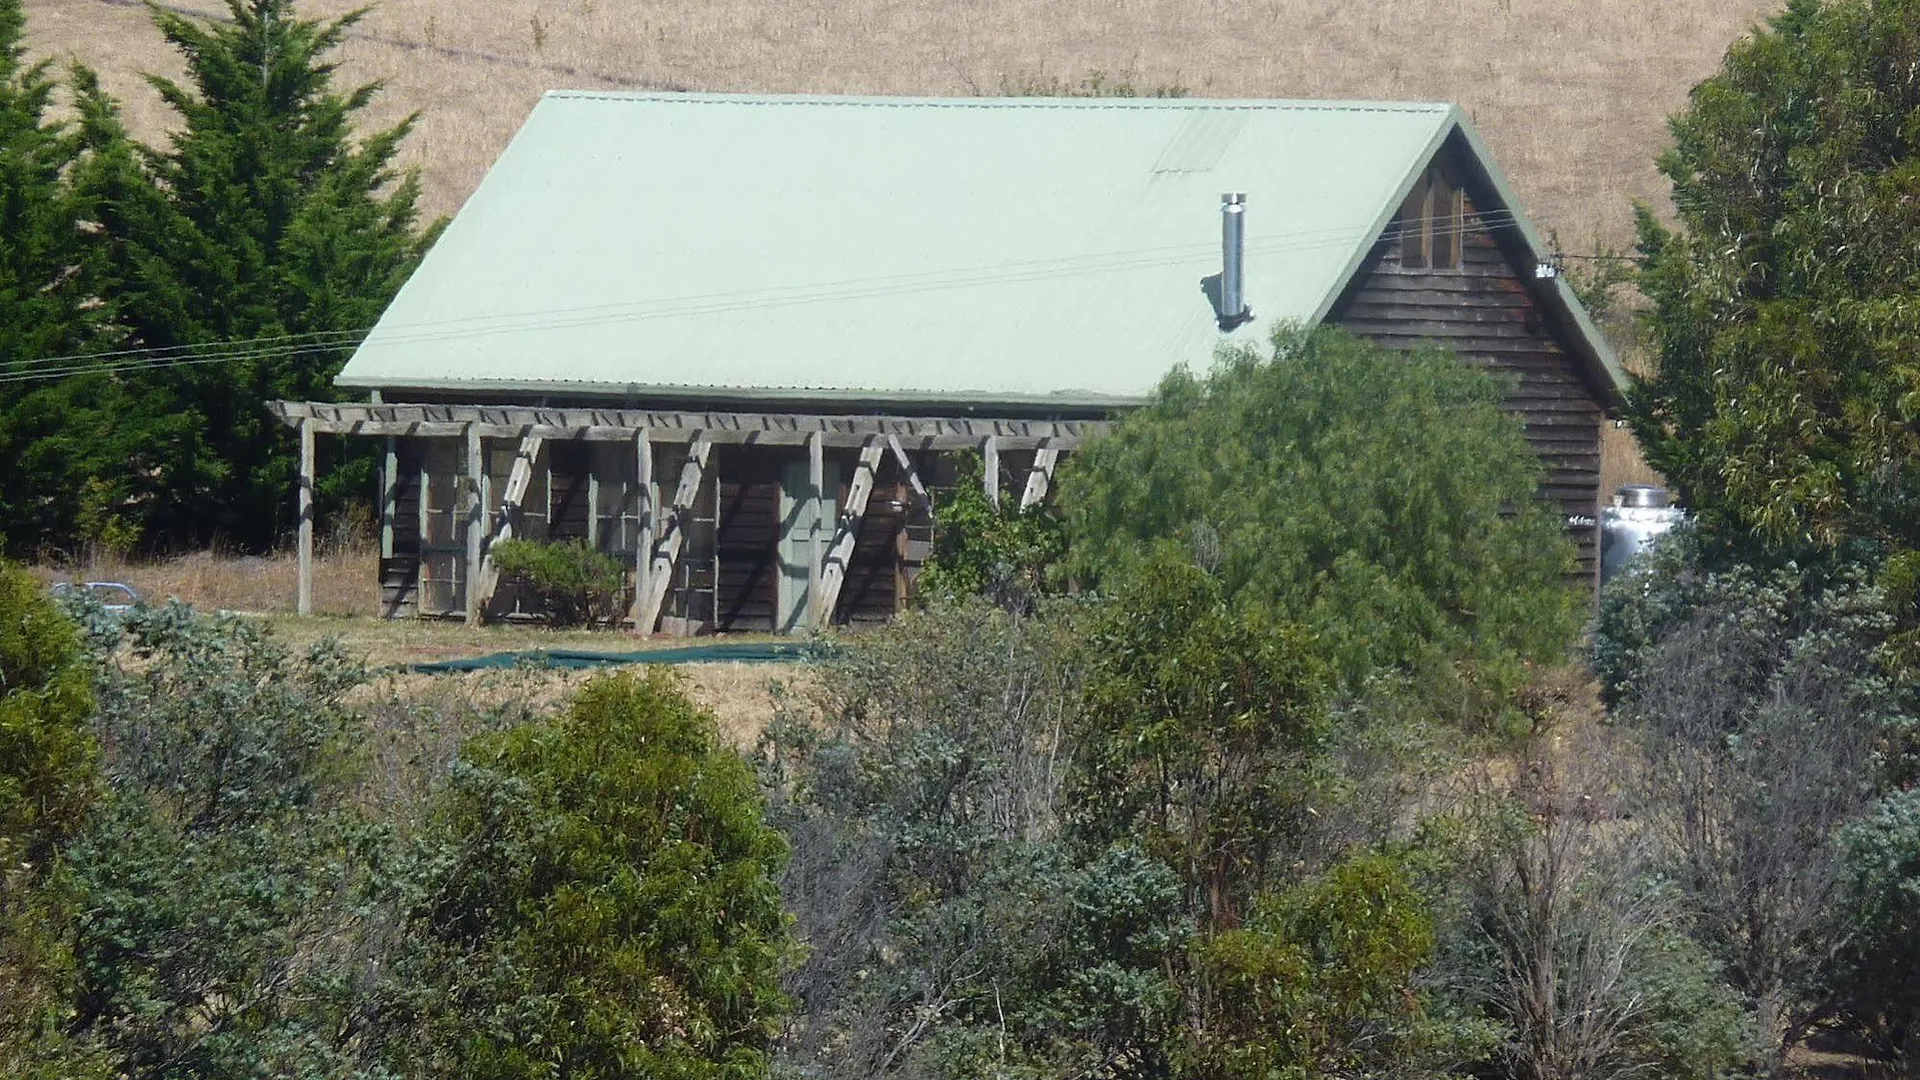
x=1572 y=937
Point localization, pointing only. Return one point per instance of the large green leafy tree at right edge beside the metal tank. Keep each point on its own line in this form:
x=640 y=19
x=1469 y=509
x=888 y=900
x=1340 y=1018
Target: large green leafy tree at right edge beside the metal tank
x=1785 y=308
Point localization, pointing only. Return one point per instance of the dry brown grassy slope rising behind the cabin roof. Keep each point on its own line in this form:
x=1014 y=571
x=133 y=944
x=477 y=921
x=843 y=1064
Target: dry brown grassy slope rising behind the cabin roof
x=1572 y=93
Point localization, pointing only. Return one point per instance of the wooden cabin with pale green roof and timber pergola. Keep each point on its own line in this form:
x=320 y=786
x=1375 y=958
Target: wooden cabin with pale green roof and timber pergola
x=736 y=341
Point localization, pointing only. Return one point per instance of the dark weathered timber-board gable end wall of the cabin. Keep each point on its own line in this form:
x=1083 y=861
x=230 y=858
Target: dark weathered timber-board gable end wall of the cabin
x=1487 y=316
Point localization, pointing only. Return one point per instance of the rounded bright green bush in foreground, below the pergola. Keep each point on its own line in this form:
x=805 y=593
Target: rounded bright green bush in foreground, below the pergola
x=598 y=900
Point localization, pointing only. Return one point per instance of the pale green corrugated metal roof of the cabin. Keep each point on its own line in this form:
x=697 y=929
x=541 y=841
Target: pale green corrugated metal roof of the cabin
x=888 y=249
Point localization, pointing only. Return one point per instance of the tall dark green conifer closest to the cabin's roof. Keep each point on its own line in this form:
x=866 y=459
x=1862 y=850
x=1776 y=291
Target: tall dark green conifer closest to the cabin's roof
x=264 y=220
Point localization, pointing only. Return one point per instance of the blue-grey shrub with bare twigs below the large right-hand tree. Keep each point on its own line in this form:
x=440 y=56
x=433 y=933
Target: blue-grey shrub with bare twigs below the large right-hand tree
x=1769 y=722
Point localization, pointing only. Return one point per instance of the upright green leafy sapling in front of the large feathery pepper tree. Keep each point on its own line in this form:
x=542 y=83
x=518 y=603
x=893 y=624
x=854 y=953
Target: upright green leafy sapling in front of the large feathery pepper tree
x=1203 y=733
